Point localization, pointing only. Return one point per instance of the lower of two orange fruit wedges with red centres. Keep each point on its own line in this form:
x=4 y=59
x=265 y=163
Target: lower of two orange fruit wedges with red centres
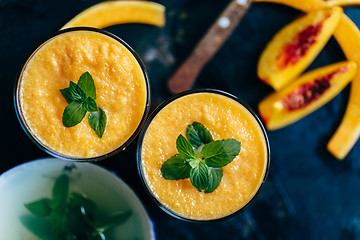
x=308 y=93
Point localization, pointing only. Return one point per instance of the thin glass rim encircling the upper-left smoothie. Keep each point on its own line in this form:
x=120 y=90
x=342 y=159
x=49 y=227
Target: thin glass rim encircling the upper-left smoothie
x=53 y=152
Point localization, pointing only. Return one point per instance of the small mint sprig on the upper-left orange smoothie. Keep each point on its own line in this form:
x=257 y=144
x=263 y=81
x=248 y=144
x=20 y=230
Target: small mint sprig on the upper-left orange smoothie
x=81 y=98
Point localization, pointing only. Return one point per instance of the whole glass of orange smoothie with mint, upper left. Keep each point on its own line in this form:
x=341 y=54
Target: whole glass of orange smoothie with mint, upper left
x=112 y=76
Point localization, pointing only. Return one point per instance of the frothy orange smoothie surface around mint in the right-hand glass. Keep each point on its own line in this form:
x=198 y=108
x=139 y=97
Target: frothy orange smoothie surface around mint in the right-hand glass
x=225 y=118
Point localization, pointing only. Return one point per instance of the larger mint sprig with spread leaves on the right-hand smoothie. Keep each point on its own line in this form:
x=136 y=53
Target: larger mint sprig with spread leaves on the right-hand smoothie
x=200 y=158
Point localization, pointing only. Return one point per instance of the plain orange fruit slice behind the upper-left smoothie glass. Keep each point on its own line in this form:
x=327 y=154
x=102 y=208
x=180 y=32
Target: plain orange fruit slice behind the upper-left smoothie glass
x=110 y=13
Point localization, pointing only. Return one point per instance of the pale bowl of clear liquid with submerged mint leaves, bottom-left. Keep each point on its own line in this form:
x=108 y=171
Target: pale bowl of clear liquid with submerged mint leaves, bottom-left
x=51 y=199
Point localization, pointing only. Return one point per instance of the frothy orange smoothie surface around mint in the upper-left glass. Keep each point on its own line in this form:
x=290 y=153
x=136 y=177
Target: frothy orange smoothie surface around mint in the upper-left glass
x=120 y=87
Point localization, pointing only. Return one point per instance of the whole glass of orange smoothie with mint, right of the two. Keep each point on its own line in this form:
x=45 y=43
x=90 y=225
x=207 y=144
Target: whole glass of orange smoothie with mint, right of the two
x=225 y=117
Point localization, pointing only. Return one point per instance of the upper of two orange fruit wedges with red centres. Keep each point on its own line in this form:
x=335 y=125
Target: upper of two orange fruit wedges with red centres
x=294 y=47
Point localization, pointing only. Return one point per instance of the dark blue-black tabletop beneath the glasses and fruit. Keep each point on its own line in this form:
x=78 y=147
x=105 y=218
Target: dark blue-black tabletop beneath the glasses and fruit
x=308 y=193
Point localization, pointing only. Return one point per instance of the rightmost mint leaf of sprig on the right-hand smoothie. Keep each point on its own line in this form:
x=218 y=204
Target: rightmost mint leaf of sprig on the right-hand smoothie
x=220 y=153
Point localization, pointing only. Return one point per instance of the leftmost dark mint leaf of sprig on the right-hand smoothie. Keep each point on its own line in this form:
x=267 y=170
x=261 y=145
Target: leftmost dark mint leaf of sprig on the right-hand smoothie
x=176 y=168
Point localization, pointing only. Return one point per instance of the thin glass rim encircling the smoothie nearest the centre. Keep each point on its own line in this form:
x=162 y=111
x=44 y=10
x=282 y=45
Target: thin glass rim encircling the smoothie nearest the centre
x=164 y=104
